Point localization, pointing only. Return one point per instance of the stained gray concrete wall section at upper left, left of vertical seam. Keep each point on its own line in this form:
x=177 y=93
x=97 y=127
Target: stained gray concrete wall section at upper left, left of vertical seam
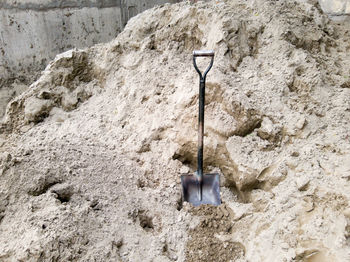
x=29 y=38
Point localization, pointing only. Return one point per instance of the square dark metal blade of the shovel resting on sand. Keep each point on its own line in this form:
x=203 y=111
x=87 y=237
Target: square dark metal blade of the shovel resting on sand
x=210 y=189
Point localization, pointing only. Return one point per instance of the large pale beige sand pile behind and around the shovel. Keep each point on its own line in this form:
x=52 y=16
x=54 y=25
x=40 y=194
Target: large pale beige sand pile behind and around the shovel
x=92 y=153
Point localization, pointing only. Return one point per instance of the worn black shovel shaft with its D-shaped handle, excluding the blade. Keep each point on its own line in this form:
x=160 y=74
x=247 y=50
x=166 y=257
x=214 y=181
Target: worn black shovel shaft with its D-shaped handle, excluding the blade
x=202 y=79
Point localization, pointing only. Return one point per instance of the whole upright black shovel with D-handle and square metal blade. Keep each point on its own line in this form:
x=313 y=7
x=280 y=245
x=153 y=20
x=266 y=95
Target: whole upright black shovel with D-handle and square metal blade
x=199 y=189
